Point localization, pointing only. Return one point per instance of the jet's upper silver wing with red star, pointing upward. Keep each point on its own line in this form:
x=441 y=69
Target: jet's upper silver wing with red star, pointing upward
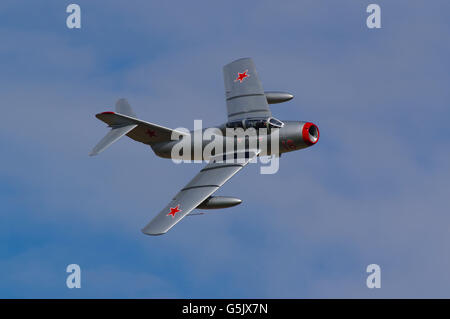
x=244 y=91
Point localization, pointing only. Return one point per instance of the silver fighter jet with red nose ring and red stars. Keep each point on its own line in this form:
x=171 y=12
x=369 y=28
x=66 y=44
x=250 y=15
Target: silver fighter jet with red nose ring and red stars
x=248 y=107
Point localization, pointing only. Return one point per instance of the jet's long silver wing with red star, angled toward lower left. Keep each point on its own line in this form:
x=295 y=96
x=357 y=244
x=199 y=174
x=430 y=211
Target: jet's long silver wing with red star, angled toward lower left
x=203 y=185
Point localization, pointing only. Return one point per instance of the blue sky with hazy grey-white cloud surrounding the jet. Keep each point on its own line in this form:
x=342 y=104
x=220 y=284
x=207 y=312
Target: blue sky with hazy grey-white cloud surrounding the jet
x=373 y=190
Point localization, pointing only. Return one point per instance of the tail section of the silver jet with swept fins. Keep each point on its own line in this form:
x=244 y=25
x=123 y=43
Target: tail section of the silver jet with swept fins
x=124 y=122
